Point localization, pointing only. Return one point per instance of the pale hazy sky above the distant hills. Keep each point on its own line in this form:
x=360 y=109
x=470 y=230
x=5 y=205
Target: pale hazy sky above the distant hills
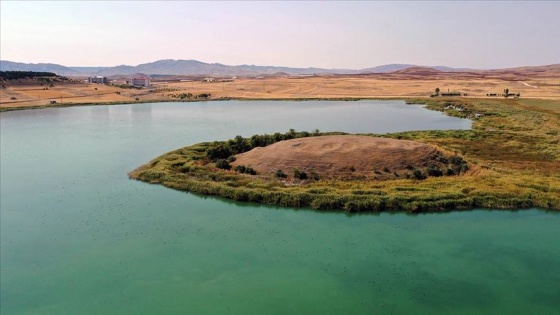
x=296 y=34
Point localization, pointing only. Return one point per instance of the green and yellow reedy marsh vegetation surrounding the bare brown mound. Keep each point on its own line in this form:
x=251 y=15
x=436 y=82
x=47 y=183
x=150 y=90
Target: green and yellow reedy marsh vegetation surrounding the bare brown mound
x=513 y=155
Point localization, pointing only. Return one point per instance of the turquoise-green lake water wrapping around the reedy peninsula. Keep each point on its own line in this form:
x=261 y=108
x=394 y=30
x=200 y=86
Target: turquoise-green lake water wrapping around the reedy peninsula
x=78 y=237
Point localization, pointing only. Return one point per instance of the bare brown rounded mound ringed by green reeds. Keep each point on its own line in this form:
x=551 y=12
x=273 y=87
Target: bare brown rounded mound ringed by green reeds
x=347 y=156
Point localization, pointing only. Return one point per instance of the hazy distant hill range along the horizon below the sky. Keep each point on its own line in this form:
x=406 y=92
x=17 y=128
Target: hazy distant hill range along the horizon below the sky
x=198 y=68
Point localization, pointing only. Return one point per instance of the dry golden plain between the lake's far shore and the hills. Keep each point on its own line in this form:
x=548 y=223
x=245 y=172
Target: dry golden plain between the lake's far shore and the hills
x=414 y=82
